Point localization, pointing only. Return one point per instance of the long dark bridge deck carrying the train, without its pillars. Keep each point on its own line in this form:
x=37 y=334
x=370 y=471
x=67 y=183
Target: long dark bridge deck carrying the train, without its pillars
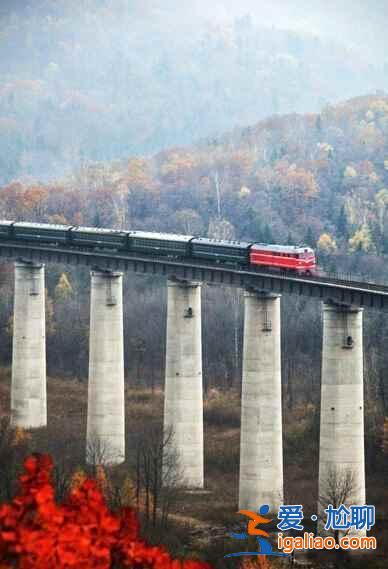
x=364 y=294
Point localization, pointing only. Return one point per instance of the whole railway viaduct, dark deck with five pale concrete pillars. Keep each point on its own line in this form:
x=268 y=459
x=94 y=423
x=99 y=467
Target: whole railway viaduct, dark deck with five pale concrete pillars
x=261 y=458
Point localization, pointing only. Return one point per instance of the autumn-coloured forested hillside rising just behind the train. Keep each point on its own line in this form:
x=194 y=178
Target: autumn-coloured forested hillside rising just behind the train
x=317 y=178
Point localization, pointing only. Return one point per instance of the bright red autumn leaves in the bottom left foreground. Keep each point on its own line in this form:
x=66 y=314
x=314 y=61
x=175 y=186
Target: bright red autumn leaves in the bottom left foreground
x=38 y=533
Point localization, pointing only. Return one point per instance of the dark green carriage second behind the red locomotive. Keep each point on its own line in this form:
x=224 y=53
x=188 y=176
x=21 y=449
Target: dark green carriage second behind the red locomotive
x=145 y=242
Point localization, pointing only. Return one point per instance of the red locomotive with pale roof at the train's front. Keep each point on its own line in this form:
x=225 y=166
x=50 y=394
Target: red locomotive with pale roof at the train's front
x=291 y=258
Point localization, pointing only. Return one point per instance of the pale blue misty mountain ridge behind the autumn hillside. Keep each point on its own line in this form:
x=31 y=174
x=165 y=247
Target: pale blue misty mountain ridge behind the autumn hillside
x=101 y=80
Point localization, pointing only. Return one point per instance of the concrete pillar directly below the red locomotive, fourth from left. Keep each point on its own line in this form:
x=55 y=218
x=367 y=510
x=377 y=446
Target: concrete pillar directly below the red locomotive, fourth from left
x=261 y=452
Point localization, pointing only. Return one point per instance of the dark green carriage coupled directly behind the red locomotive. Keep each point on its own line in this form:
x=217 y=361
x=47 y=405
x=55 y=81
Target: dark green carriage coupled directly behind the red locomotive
x=221 y=251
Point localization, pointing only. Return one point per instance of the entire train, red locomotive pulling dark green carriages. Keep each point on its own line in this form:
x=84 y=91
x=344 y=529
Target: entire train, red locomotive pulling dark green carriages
x=300 y=259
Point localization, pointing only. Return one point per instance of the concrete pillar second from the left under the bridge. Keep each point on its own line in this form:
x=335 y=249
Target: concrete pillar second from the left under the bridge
x=106 y=412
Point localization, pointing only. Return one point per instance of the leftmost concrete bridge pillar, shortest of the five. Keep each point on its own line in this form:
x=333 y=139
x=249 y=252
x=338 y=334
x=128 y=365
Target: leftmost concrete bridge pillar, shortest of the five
x=28 y=389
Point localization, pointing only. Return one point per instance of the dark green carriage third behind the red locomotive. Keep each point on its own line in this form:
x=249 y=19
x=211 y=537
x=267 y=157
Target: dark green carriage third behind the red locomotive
x=98 y=237
